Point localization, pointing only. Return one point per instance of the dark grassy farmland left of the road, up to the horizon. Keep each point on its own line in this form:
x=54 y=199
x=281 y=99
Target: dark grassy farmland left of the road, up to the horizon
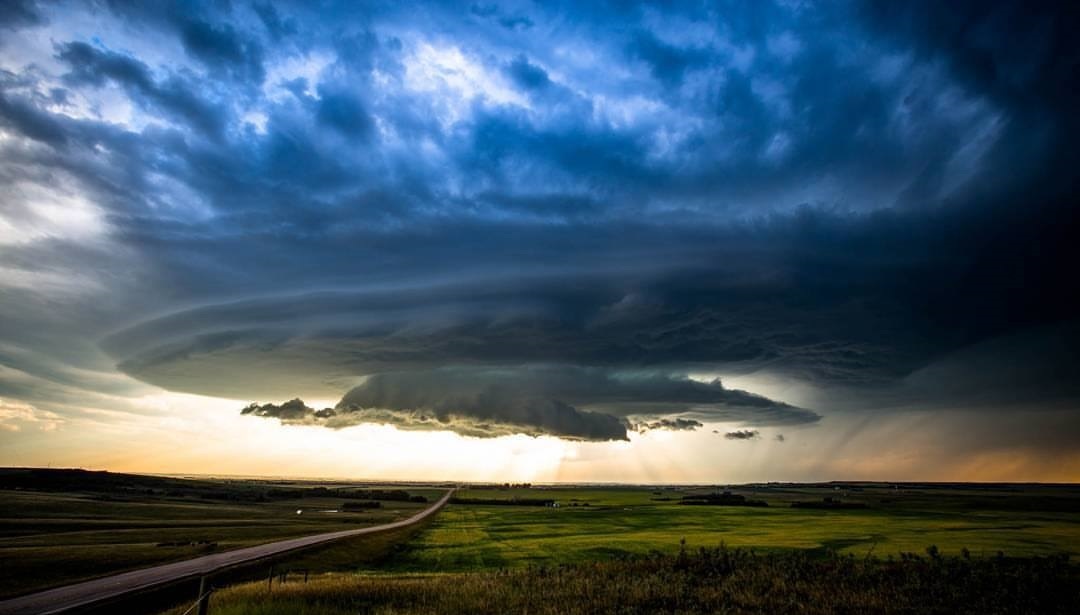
x=57 y=532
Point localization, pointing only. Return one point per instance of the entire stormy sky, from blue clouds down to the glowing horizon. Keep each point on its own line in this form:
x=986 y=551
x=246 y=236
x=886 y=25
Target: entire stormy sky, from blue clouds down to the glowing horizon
x=543 y=242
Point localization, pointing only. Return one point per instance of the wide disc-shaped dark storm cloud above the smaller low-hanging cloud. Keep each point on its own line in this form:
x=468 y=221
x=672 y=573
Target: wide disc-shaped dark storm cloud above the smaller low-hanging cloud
x=617 y=318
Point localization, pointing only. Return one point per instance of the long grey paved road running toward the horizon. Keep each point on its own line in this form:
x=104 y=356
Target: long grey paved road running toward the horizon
x=92 y=592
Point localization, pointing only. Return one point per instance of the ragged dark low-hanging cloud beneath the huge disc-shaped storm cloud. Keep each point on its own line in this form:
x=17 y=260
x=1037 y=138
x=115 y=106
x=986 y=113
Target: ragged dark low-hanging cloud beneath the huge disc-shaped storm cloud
x=574 y=404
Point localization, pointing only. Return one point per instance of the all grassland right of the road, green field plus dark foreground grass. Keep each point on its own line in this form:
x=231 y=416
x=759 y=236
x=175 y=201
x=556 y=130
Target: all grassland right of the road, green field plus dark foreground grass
x=943 y=549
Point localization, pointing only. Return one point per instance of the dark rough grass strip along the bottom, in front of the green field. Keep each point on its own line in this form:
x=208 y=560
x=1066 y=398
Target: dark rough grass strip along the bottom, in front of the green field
x=707 y=581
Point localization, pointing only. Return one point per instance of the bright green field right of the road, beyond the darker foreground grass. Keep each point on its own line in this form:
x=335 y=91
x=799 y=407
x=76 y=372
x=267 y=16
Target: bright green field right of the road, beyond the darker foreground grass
x=595 y=524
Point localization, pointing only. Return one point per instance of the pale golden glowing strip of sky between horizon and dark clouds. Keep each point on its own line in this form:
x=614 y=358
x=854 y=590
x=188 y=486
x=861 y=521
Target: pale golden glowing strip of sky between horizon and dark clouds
x=178 y=434
